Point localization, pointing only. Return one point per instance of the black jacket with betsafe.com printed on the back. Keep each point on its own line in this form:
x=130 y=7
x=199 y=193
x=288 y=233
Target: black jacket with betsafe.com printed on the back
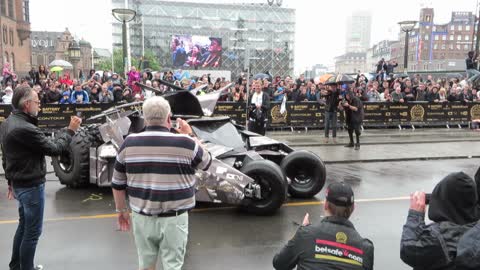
x=333 y=243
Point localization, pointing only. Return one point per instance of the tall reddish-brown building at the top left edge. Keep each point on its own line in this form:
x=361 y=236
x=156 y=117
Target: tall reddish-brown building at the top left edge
x=15 y=35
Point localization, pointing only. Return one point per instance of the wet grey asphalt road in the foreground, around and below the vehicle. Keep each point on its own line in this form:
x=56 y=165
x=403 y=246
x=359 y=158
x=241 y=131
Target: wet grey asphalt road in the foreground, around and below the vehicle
x=223 y=238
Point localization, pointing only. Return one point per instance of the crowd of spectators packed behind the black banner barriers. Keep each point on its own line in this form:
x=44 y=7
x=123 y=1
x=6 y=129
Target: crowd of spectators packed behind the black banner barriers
x=109 y=87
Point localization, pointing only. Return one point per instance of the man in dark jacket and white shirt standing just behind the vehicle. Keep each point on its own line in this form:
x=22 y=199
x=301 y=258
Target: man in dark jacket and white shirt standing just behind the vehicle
x=259 y=105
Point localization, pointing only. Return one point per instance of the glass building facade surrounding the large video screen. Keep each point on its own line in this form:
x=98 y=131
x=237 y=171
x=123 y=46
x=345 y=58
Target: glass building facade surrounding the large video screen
x=254 y=35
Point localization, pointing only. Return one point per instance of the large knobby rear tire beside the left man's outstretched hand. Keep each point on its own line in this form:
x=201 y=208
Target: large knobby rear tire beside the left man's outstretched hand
x=73 y=167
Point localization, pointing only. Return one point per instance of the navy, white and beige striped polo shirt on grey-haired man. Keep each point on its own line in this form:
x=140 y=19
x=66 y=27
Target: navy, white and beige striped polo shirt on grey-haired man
x=157 y=169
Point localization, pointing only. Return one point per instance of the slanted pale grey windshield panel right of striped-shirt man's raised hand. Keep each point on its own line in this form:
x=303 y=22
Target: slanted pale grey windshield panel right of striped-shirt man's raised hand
x=221 y=132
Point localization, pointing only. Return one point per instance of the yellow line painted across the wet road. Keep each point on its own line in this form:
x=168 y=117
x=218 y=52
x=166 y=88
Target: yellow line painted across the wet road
x=201 y=210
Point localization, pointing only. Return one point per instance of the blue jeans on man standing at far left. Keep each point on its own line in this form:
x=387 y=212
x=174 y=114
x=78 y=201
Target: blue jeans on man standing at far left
x=31 y=202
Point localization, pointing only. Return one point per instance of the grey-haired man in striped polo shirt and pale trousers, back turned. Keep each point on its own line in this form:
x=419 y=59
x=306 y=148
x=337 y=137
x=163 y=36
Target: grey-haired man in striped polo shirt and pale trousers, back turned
x=156 y=168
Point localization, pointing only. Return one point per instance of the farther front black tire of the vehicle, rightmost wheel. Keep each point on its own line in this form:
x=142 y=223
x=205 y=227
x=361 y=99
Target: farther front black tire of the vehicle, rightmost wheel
x=306 y=172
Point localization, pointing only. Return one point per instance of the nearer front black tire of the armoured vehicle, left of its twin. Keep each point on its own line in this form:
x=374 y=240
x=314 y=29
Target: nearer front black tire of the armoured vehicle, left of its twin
x=273 y=187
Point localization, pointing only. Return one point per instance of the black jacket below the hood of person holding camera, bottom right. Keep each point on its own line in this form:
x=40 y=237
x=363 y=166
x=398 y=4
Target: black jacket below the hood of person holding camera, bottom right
x=439 y=246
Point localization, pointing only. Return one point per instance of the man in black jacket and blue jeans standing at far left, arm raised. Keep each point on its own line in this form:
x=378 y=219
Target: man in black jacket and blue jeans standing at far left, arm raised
x=24 y=147
